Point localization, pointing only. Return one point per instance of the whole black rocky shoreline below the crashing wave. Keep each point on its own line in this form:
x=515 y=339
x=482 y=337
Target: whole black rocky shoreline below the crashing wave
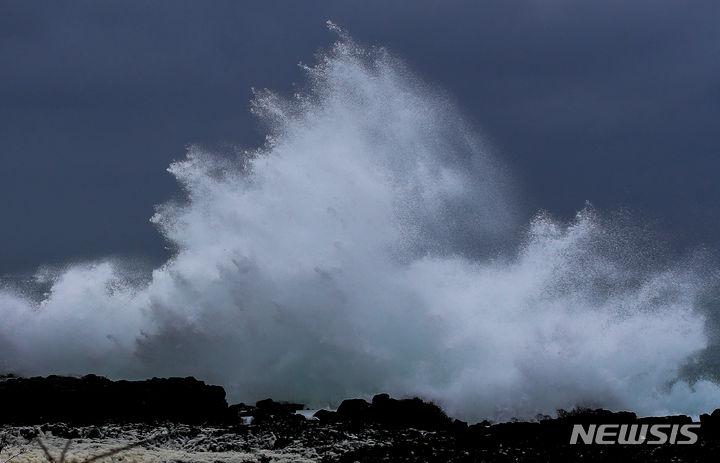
x=185 y=420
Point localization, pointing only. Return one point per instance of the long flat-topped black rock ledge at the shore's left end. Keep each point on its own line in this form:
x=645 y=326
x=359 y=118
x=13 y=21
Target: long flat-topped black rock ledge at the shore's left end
x=94 y=399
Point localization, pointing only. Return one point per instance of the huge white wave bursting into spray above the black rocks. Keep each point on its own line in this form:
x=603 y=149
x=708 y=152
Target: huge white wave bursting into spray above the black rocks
x=368 y=246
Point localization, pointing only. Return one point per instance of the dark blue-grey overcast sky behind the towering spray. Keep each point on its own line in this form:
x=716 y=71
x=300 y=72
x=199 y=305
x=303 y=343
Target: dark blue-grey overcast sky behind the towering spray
x=615 y=102
